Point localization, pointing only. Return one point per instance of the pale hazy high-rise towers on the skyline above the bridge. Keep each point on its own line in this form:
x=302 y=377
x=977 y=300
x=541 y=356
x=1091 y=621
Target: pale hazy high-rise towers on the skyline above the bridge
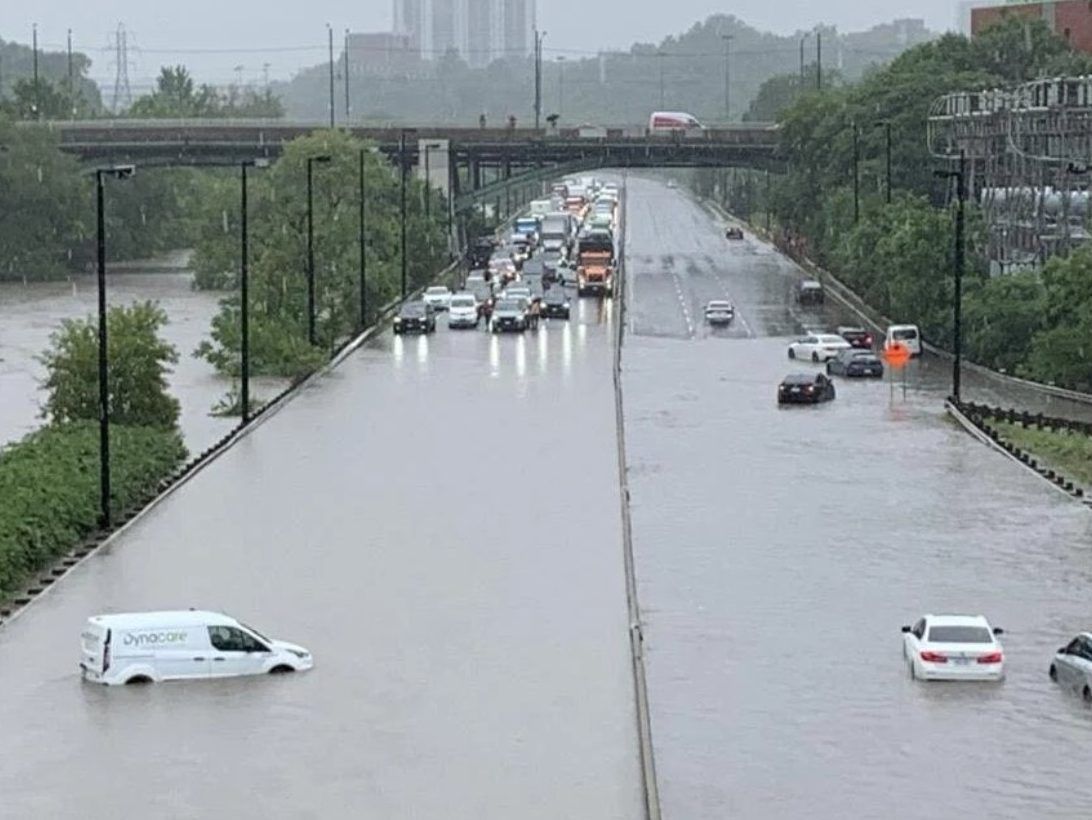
x=480 y=31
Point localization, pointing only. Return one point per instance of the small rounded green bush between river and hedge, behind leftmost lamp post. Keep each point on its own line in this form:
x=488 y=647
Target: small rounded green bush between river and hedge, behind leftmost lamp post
x=138 y=366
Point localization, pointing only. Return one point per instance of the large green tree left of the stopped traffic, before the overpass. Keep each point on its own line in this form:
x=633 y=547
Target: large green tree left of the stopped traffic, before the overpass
x=278 y=228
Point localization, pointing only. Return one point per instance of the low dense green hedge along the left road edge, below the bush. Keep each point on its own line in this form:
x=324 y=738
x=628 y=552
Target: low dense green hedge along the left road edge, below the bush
x=50 y=490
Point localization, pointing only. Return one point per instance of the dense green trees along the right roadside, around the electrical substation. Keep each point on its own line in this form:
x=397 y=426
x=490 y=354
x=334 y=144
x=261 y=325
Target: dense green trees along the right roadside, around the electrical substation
x=899 y=257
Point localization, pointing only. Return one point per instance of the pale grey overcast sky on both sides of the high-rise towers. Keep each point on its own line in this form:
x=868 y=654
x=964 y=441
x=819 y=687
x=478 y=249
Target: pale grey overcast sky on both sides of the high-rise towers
x=289 y=35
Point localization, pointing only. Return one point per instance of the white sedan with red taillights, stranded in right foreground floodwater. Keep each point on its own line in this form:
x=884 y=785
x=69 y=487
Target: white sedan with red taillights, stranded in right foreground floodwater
x=954 y=648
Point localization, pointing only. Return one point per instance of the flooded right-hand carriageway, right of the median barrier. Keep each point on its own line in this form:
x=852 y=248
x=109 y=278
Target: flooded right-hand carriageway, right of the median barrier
x=779 y=552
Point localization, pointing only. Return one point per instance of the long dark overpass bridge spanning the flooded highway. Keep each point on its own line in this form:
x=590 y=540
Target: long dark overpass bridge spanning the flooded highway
x=473 y=163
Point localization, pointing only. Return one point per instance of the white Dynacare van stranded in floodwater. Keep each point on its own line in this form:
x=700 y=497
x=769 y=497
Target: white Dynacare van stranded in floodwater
x=143 y=648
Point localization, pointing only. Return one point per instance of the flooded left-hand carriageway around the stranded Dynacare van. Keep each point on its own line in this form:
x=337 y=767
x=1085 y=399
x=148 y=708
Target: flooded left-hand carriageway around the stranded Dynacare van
x=438 y=521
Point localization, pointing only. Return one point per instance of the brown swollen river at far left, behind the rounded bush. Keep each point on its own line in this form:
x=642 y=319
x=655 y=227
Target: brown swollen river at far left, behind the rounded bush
x=30 y=314
